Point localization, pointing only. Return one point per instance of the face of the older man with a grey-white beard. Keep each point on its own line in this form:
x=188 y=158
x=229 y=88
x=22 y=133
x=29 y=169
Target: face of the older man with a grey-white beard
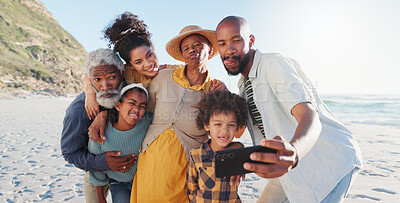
x=106 y=80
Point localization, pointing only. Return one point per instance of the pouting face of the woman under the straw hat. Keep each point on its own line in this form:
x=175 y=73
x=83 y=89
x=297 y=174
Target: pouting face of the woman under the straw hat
x=195 y=49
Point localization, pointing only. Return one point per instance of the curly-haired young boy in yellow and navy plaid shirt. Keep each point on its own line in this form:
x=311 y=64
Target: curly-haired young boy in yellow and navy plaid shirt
x=221 y=113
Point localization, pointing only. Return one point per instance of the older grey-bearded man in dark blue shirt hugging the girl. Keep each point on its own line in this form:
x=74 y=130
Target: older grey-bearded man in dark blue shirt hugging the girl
x=104 y=68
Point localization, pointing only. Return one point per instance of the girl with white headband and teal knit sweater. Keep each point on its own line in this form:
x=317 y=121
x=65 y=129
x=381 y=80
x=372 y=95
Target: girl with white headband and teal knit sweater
x=126 y=136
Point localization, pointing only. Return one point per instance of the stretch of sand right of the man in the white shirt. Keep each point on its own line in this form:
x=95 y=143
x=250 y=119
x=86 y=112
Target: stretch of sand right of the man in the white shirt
x=379 y=179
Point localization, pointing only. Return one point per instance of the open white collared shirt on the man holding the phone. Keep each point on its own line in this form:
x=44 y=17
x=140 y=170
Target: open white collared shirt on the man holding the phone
x=279 y=84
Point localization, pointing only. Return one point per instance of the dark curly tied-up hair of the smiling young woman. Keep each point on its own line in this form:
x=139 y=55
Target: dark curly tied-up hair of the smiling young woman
x=127 y=33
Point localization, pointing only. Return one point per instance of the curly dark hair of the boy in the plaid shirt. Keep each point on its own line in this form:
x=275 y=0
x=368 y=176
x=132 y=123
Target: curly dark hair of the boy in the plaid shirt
x=221 y=102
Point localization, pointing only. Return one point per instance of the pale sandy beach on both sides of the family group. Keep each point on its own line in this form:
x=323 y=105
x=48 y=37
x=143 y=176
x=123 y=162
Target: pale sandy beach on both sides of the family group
x=33 y=169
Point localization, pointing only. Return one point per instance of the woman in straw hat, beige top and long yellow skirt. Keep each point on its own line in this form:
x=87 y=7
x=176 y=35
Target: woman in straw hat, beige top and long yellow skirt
x=162 y=165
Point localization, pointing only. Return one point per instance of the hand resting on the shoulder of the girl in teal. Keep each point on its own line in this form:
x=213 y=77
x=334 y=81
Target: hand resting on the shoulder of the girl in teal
x=98 y=125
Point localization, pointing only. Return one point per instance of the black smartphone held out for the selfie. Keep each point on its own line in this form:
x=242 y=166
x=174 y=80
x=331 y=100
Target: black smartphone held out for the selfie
x=230 y=162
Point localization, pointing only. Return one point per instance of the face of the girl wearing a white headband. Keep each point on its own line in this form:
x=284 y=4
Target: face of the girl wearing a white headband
x=131 y=110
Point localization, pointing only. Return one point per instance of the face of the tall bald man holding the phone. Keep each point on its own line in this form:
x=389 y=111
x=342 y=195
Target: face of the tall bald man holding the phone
x=234 y=45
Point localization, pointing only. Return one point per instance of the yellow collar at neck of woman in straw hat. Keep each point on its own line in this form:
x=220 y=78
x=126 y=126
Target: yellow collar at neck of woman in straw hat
x=179 y=77
